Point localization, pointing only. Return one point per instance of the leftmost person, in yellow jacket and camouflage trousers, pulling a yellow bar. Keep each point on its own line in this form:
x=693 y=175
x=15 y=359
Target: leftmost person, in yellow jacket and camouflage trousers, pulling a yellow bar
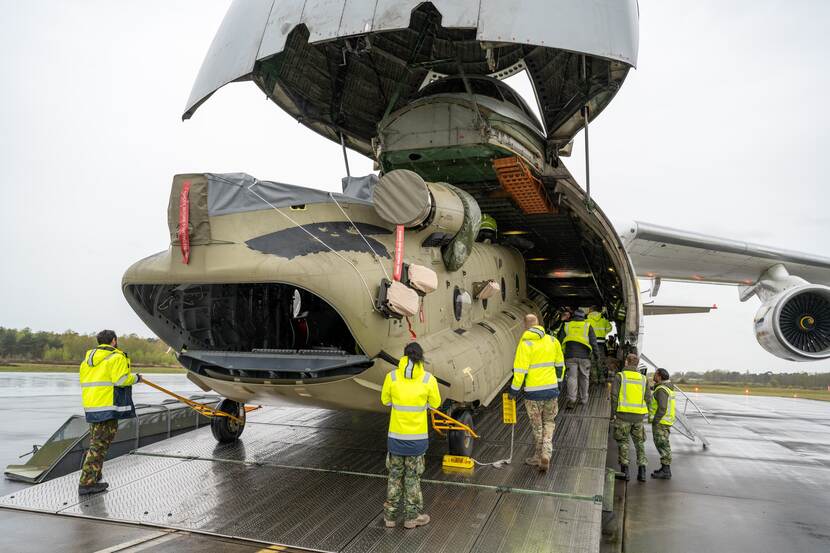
x=106 y=391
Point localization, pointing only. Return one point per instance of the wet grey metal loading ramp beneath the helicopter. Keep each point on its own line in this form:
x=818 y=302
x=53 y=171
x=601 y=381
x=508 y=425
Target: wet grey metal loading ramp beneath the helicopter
x=316 y=480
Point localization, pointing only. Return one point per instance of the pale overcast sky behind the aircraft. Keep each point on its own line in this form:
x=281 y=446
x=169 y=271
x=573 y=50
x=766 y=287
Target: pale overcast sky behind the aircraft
x=722 y=129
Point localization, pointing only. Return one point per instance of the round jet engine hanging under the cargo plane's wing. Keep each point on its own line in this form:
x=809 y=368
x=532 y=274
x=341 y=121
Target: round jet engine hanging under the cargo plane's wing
x=795 y=324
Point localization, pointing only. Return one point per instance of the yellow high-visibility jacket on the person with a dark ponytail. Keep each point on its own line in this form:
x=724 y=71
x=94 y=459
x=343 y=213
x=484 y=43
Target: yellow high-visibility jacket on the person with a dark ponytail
x=410 y=390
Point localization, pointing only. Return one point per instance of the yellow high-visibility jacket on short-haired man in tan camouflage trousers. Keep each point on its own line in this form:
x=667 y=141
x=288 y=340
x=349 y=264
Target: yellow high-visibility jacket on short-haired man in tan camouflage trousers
x=537 y=365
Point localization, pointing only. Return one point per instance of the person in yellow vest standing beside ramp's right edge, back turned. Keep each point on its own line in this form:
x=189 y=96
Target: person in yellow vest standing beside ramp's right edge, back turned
x=630 y=396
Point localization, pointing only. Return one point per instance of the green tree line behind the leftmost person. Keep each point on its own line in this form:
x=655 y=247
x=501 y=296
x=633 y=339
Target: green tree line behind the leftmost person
x=69 y=347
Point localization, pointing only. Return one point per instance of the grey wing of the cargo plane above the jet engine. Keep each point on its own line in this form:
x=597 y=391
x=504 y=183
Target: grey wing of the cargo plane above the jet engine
x=671 y=254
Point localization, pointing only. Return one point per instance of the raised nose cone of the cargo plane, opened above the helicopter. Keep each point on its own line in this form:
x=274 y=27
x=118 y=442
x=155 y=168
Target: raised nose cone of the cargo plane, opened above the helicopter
x=341 y=71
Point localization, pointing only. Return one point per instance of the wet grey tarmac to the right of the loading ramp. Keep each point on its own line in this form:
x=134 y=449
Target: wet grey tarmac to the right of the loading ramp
x=763 y=485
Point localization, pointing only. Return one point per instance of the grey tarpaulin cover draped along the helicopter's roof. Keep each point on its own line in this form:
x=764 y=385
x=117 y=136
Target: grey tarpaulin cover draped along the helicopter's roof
x=229 y=193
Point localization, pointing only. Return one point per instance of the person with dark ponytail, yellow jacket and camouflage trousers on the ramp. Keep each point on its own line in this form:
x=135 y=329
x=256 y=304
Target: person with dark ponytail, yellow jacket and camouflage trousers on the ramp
x=410 y=391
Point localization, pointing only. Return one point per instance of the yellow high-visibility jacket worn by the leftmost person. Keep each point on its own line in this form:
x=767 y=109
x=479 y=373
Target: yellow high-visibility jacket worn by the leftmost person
x=105 y=384
